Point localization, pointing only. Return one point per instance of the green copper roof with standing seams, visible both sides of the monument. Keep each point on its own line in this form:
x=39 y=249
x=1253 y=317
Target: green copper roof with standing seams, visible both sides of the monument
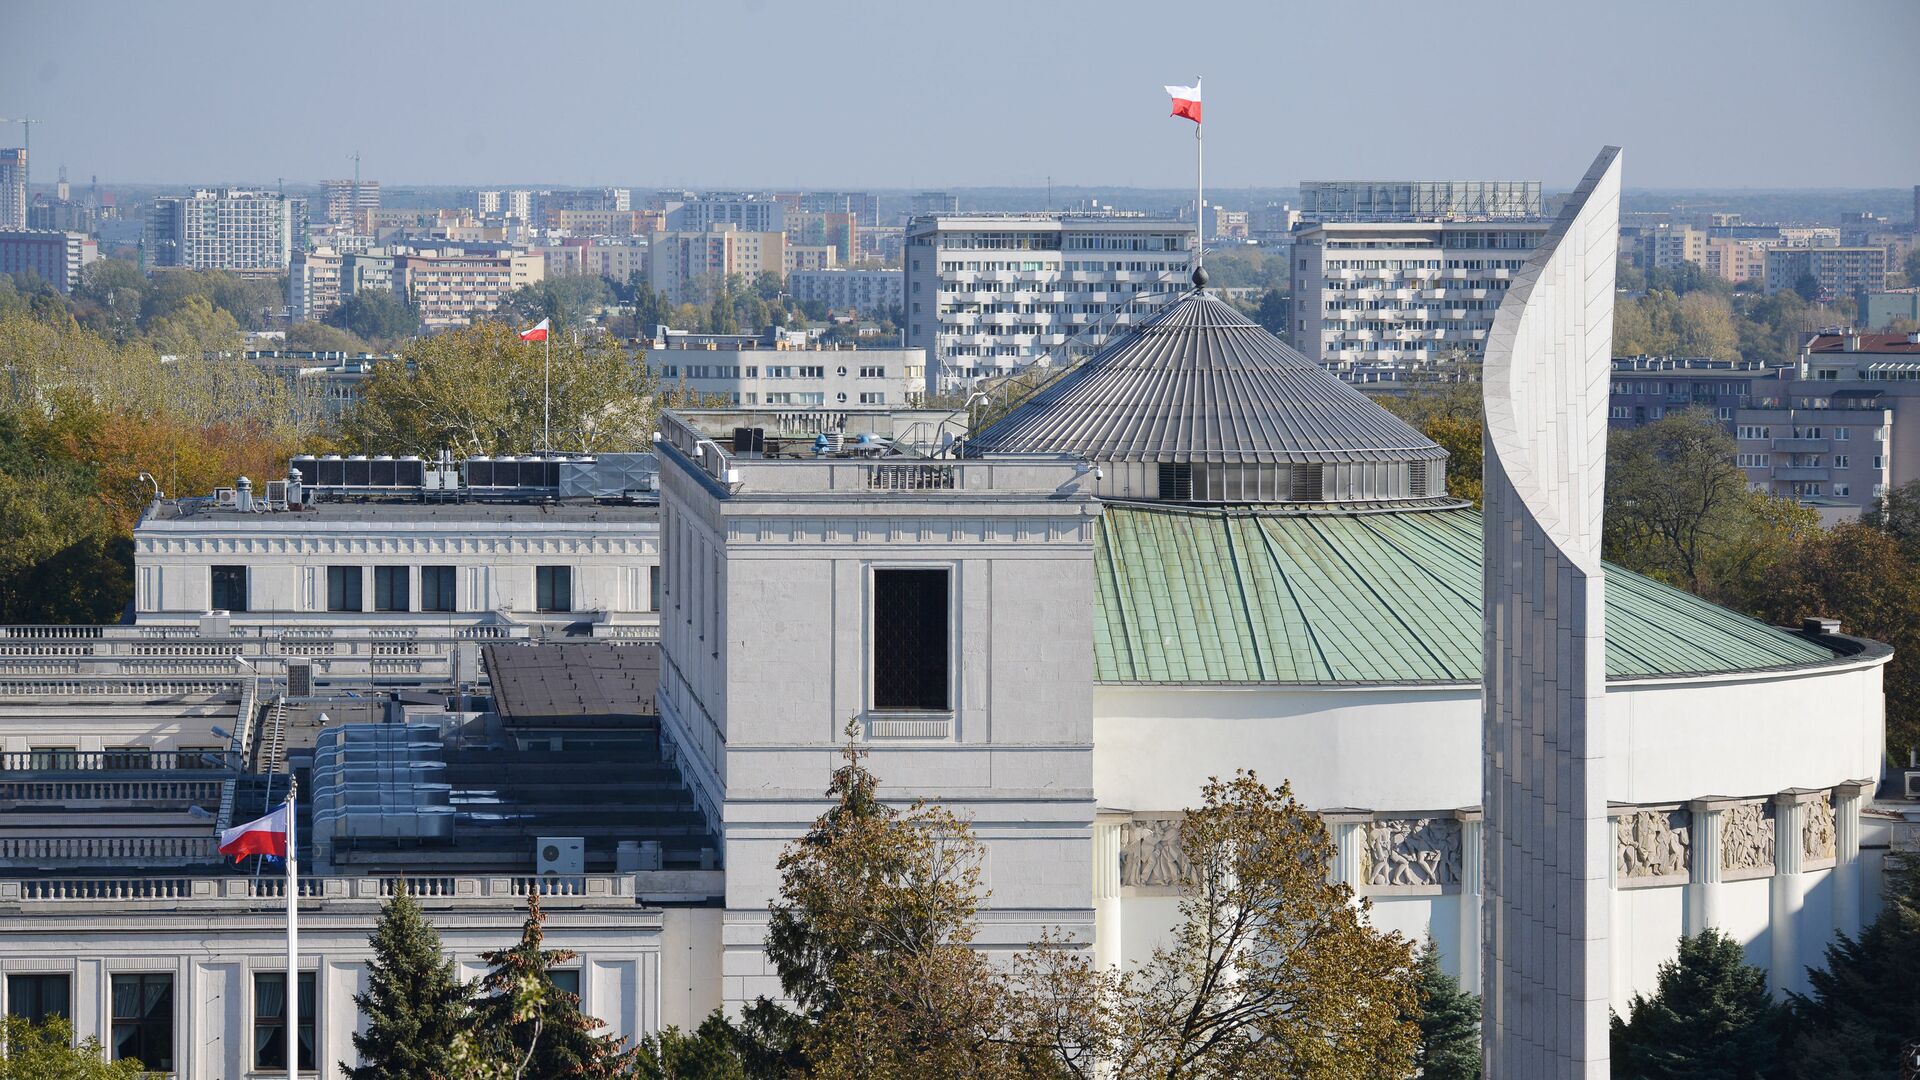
x=1234 y=597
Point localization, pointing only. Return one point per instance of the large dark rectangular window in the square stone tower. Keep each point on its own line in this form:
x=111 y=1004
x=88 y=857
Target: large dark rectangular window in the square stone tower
x=911 y=639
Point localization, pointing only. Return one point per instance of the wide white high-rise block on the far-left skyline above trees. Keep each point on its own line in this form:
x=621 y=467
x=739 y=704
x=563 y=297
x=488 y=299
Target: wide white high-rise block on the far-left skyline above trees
x=231 y=230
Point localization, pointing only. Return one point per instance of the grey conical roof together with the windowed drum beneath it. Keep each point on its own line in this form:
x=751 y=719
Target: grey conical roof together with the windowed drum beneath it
x=1201 y=405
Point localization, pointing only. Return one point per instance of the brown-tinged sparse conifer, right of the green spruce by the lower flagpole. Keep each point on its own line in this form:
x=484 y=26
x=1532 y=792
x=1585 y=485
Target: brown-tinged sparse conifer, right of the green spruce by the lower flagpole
x=537 y=1023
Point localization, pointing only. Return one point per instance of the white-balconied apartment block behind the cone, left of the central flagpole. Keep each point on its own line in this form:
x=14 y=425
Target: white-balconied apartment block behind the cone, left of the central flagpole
x=990 y=295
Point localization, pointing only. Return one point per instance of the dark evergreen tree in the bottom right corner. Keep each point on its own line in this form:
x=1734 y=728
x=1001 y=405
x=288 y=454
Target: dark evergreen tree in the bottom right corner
x=1865 y=1008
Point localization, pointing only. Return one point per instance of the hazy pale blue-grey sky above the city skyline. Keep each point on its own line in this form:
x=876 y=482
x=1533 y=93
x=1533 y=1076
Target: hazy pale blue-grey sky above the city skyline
x=901 y=93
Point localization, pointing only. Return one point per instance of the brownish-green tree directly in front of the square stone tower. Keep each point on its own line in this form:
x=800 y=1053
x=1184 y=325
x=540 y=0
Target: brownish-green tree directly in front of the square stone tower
x=873 y=935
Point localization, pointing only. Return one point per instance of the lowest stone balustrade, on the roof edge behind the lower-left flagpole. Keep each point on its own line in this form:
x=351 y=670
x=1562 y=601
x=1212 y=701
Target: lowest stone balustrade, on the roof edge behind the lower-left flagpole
x=243 y=893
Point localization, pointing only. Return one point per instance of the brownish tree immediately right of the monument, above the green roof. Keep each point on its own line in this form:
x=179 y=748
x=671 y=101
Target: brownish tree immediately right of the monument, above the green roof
x=1673 y=497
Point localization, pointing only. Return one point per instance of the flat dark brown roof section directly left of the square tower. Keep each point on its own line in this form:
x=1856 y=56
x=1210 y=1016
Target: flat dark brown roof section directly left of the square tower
x=575 y=681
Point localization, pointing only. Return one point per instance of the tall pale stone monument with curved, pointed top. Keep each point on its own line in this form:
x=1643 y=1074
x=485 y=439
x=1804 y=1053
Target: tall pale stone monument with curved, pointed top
x=1543 y=666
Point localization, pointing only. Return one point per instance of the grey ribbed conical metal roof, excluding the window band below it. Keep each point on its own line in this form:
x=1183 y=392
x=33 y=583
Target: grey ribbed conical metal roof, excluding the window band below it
x=1203 y=383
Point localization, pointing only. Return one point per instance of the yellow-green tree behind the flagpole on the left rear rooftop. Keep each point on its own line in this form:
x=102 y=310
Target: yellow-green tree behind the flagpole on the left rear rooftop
x=479 y=391
